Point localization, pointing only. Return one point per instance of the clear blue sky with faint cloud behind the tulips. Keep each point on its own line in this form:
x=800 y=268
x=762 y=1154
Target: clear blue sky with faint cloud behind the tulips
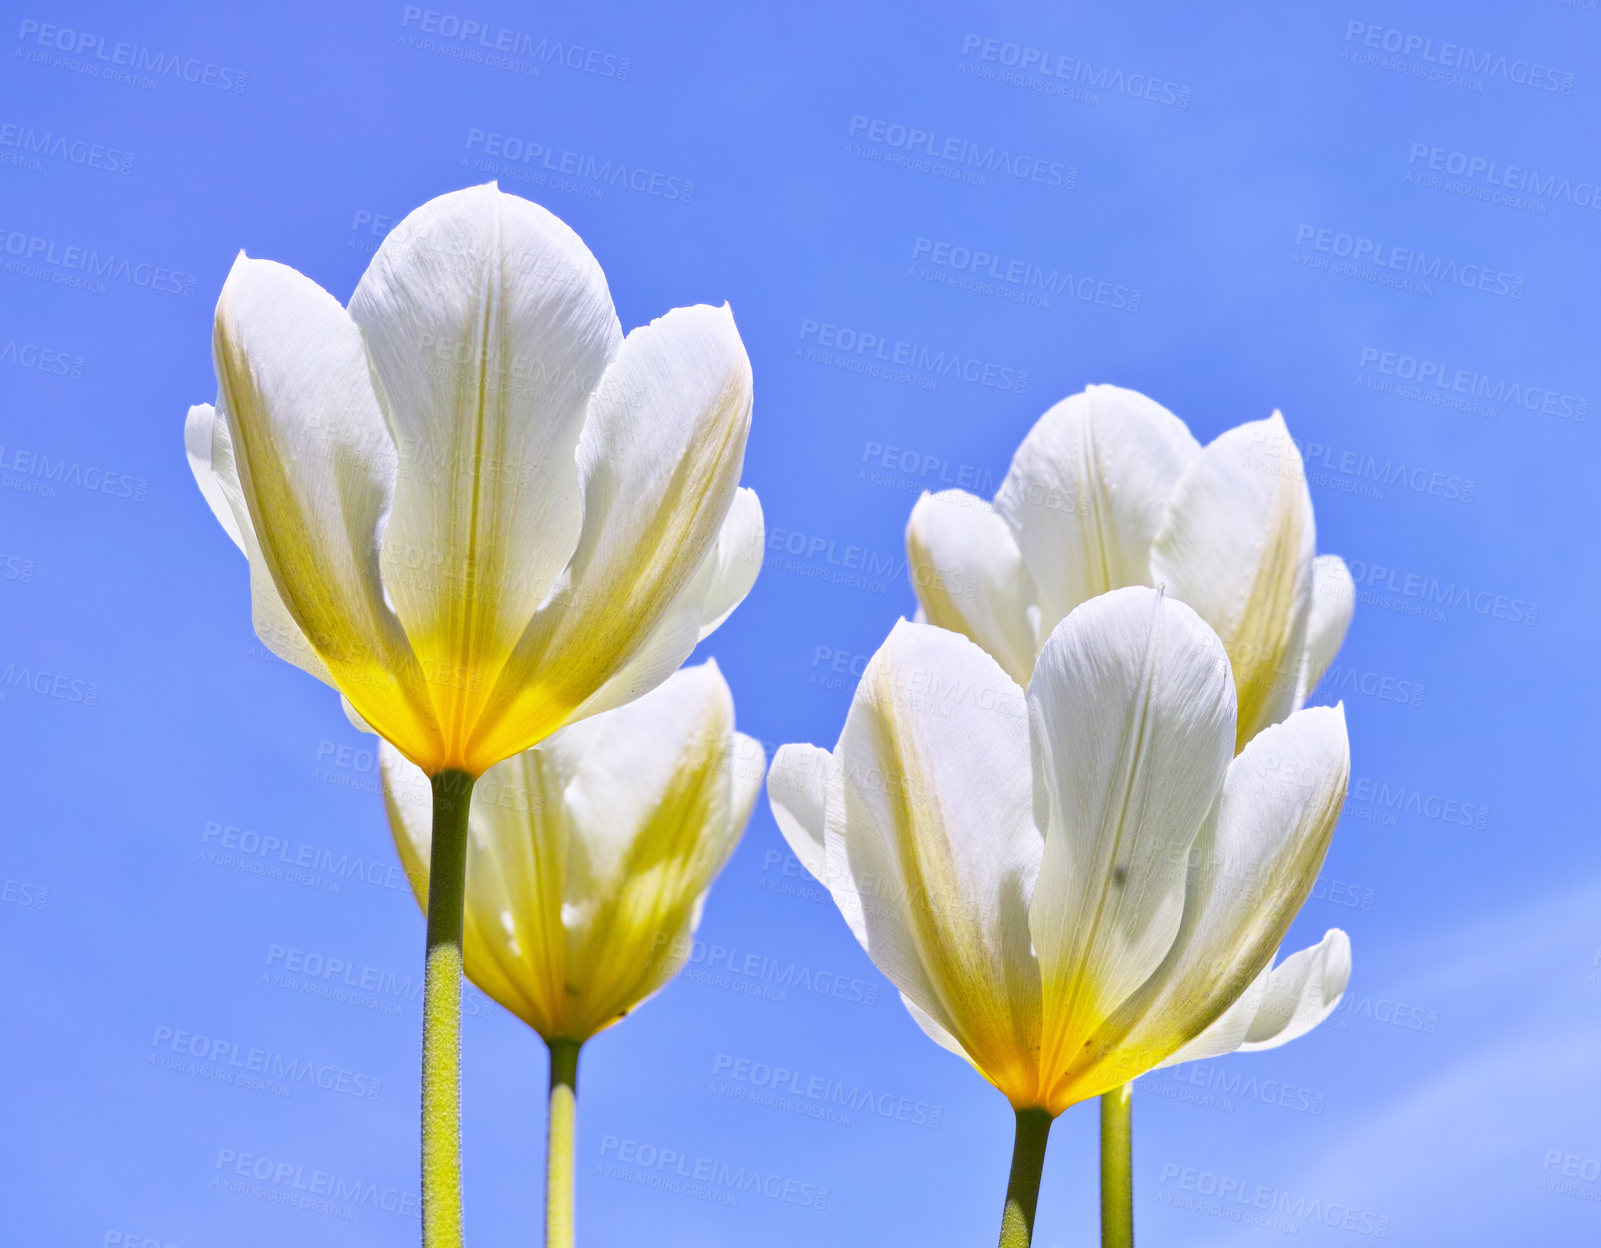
x=1379 y=222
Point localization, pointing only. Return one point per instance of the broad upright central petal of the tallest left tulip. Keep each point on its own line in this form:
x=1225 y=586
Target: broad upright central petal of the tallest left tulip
x=489 y=326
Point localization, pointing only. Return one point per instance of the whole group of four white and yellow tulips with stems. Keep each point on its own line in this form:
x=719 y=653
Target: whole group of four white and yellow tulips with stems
x=1072 y=812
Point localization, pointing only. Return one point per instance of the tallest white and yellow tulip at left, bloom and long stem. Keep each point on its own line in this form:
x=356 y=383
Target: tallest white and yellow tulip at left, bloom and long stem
x=478 y=511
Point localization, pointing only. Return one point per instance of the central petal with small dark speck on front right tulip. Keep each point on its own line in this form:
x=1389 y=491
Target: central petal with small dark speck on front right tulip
x=1133 y=721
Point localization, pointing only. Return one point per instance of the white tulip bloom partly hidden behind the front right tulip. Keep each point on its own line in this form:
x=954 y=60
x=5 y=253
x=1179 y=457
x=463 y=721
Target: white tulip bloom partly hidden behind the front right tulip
x=1110 y=490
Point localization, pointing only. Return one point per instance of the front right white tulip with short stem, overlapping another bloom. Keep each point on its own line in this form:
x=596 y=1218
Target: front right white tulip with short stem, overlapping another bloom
x=1080 y=882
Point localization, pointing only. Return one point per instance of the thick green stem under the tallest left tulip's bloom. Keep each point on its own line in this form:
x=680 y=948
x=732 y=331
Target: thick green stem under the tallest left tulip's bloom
x=447 y=890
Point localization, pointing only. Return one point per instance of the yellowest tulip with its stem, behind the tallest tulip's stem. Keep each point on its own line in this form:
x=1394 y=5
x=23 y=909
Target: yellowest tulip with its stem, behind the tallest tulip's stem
x=588 y=862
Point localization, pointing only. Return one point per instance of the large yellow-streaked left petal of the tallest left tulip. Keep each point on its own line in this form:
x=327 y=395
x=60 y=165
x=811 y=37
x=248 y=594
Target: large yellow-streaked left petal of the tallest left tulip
x=316 y=471
